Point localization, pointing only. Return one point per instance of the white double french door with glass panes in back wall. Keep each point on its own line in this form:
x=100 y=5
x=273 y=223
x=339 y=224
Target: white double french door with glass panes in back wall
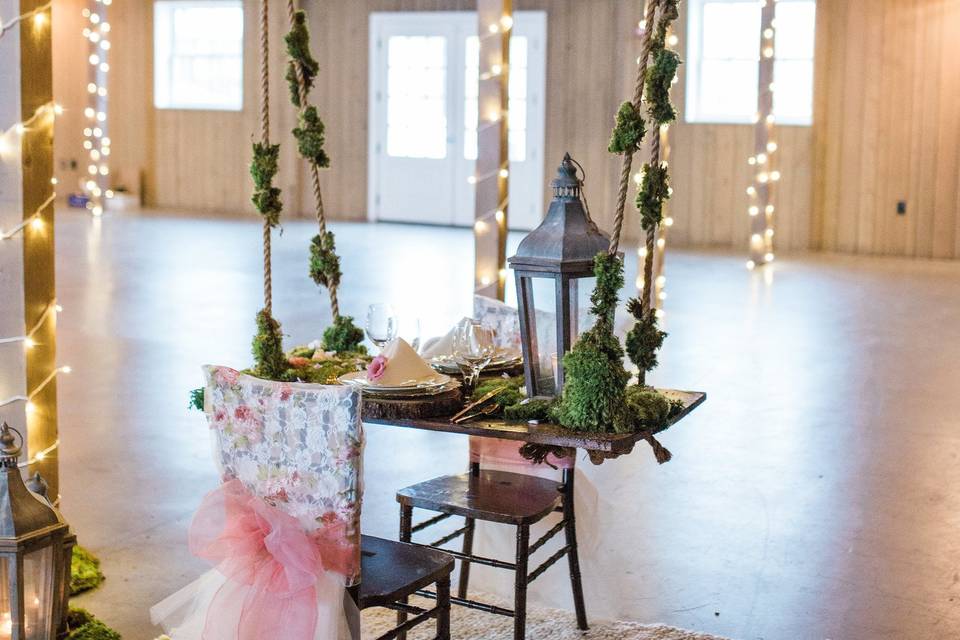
x=423 y=117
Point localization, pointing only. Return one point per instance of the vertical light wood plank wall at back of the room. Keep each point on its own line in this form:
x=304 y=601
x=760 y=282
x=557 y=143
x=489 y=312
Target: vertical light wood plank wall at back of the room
x=887 y=127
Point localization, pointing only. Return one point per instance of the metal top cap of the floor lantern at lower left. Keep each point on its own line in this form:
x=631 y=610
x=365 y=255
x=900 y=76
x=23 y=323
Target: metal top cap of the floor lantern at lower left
x=23 y=515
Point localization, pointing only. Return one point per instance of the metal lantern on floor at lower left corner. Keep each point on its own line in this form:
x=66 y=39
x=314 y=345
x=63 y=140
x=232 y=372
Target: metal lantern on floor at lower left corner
x=34 y=554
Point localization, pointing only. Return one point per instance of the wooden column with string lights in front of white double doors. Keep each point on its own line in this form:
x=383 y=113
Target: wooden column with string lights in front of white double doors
x=492 y=174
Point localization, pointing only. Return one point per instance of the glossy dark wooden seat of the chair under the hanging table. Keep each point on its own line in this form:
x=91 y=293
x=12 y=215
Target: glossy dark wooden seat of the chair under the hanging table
x=493 y=496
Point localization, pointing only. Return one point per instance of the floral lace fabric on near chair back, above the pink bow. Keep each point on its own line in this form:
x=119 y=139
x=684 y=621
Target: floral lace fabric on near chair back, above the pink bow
x=297 y=446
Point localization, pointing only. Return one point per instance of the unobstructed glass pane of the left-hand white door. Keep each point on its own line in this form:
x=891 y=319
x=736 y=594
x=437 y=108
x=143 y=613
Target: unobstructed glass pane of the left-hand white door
x=417 y=97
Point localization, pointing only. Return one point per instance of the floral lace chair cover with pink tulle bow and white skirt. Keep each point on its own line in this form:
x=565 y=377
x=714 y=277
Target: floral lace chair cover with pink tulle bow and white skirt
x=283 y=530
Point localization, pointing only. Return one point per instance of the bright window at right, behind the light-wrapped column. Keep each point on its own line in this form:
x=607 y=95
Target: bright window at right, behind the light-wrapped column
x=723 y=55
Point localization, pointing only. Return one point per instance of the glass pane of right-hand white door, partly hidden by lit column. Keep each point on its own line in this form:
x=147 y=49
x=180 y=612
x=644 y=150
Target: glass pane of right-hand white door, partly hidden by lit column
x=517 y=105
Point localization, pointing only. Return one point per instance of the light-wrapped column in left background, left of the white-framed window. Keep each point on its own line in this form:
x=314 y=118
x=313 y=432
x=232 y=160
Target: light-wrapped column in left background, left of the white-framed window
x=96 y=139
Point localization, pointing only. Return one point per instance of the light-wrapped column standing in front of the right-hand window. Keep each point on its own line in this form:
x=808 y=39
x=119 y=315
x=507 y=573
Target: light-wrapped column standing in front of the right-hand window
x=761 y=192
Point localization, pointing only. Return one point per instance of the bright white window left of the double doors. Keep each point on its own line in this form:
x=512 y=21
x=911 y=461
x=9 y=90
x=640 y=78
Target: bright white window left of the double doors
x=198 y=54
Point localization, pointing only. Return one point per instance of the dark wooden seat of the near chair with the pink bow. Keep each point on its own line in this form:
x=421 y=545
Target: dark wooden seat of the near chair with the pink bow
x=393 y=570
